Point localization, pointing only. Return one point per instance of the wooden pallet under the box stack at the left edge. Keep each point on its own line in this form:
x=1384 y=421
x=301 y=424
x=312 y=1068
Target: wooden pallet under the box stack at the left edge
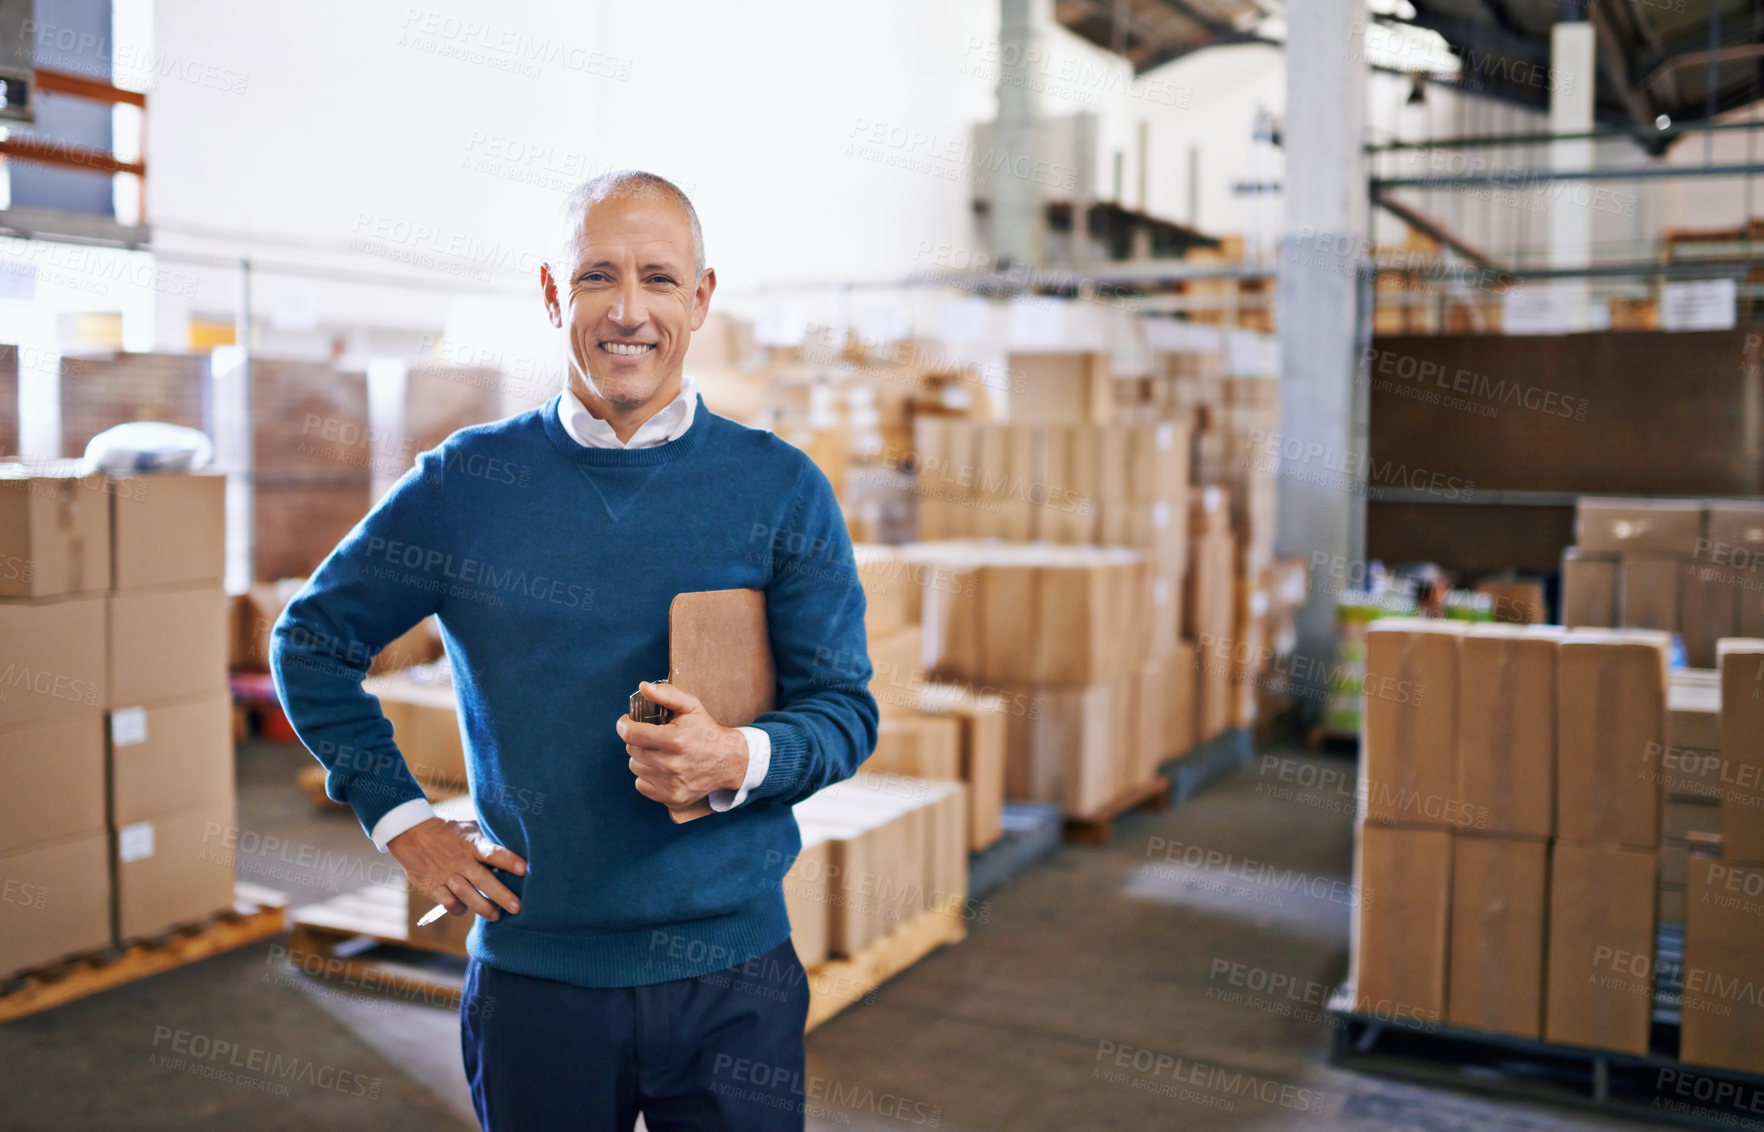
x=257 y=914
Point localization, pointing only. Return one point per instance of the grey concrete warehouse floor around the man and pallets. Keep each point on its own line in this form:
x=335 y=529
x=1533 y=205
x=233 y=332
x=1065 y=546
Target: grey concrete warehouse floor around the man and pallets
x=1086 y=957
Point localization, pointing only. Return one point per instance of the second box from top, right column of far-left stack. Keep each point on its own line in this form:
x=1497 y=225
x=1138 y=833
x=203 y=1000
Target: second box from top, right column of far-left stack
x=167 y=644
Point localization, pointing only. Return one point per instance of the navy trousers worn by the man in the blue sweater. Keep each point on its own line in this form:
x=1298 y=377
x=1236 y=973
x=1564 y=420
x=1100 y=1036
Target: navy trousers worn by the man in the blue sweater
x=708 y=1054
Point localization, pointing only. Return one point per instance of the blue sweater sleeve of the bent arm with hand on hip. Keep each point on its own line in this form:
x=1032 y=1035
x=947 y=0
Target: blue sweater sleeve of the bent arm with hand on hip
x=361 y=600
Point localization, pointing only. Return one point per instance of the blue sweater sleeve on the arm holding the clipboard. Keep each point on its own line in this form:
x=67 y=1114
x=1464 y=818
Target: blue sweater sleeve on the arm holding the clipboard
x=826 y=720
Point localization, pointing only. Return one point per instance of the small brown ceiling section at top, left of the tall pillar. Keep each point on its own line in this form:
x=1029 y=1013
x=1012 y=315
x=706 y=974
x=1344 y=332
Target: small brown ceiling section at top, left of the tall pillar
x=1155 y=33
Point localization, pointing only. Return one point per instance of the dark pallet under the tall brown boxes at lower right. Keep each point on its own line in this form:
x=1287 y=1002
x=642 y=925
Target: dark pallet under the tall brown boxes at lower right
x=1636 y=1087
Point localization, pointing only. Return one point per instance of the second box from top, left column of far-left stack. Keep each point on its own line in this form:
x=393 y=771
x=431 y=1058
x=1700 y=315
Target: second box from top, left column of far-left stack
x=54 y=666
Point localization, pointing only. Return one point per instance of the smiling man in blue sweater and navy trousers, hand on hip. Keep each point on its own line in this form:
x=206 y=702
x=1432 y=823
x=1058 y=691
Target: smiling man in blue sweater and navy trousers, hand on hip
x=624 y=962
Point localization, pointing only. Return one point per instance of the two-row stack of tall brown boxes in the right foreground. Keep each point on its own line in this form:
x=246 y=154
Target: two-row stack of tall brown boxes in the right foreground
x=1511 y=828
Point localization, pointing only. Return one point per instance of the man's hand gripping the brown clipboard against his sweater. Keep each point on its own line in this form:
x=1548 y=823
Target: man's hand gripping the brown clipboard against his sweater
x=684 y=761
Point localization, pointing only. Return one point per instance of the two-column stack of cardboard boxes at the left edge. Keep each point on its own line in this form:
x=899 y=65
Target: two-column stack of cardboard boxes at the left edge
x=117 y=657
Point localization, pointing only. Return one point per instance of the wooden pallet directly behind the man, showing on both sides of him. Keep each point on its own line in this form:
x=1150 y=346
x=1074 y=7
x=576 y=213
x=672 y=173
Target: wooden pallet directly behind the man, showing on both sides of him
x=361 y=937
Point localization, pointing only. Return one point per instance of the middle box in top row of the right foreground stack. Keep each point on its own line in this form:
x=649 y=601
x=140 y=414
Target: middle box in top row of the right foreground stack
x=1507 y=729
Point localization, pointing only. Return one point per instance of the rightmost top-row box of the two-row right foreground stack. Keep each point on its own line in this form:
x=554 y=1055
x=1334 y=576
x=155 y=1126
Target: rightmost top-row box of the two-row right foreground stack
x=1610 y=734
